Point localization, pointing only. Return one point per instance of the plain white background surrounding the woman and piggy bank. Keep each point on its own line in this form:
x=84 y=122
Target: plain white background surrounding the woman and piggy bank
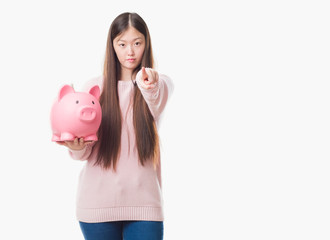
x=245 y=137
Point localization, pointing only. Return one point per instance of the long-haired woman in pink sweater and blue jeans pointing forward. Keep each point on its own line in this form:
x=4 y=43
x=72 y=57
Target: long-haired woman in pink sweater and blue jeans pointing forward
x=119 y=193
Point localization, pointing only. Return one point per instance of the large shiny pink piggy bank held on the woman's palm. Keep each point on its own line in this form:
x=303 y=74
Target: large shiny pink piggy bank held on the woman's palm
x=76 y=114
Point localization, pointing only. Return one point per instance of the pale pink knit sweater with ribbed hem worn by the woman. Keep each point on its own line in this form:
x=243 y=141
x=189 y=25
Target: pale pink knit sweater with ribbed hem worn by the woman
x=133 y=192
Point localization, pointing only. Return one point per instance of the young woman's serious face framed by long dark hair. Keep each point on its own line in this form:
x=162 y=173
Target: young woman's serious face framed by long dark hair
x=129 y=47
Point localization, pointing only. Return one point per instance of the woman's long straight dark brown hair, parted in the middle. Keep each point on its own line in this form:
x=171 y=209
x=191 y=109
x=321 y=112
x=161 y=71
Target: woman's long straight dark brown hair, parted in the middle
x=109 y=133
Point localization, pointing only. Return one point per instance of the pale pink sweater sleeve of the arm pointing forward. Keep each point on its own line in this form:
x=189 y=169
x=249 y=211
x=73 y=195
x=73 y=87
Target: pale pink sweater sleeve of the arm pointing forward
x=158 y=96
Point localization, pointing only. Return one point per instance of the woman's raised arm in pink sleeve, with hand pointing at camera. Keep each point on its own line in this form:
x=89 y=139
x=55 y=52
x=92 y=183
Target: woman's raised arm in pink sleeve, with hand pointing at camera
x=156 y=90
